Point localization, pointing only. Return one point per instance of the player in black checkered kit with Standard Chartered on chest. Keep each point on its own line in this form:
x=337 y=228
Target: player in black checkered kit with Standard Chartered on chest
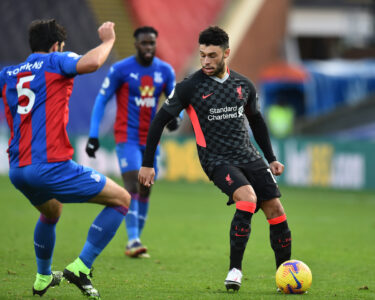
x=218 y=102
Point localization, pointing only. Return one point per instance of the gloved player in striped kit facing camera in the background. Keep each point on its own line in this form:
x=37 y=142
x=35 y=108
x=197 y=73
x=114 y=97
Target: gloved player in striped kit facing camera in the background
x=137 y=81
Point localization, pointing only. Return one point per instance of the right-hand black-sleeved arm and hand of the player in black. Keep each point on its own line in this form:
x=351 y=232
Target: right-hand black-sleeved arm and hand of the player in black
x=260 y=131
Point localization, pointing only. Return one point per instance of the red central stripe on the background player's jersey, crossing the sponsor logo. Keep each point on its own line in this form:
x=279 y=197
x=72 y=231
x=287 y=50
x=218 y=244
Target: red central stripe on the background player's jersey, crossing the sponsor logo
x=148 y=90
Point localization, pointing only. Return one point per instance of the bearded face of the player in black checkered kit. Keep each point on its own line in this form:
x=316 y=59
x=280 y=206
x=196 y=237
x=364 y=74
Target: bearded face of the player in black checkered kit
x=213 y=60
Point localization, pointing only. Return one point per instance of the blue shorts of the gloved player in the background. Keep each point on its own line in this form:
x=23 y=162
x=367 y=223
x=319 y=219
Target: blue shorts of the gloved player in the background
x=130 y=156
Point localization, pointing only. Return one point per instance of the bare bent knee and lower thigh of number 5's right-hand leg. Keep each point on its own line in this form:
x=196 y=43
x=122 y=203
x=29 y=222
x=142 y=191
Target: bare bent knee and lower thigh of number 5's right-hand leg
x=112 y=195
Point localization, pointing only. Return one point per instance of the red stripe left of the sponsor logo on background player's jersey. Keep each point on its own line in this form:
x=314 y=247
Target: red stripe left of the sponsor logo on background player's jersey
x=121 y=123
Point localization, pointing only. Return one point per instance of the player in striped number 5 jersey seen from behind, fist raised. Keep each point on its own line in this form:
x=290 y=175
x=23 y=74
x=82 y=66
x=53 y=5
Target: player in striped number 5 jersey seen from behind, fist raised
x=36 y=95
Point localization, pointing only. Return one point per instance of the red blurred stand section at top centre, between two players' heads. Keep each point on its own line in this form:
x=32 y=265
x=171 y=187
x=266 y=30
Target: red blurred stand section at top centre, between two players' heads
x=178 y=23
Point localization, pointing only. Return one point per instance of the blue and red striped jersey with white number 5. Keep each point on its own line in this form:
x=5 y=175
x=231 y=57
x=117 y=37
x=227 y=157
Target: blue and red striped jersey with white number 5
x=36 y=95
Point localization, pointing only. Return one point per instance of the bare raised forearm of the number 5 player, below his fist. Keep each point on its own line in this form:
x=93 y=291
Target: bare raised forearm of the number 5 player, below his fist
x=95 y=58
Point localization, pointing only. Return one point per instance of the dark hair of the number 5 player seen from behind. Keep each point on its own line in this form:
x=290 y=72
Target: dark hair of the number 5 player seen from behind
x=44 y=33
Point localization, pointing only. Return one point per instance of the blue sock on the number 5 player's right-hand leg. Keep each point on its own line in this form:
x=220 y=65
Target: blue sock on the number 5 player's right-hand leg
x=101 y=233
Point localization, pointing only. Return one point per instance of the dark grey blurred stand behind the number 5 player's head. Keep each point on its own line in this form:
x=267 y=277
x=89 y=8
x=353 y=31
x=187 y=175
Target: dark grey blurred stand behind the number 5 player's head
x=15 y=17
